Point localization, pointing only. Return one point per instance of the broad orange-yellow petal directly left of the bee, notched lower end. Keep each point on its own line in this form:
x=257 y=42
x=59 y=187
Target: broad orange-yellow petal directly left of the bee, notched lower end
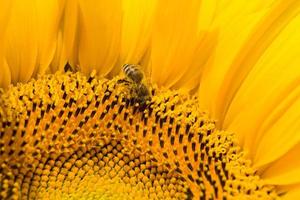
x=99 y=35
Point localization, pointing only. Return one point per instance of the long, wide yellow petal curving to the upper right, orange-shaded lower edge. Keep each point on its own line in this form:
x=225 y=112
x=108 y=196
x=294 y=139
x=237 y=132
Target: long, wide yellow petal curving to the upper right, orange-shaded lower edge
x=246 y=28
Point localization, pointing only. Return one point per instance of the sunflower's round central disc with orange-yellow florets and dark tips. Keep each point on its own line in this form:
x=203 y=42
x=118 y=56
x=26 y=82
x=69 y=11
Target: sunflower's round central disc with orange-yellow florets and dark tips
x=68 y=136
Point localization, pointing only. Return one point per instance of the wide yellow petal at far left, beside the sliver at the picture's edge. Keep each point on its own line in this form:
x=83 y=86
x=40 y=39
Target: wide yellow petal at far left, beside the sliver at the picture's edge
x=22 y=40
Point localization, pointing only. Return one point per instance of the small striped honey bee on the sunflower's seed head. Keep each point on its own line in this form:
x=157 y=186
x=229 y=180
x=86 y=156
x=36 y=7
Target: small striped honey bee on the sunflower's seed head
x=135 y=77
